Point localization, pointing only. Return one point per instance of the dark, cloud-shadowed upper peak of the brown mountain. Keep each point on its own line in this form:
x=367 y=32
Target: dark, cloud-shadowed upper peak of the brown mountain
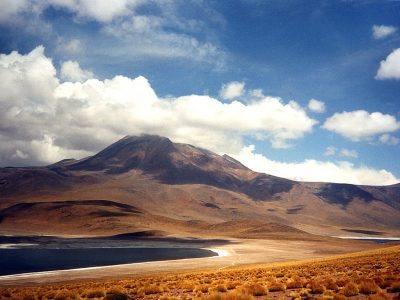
x=174 y=163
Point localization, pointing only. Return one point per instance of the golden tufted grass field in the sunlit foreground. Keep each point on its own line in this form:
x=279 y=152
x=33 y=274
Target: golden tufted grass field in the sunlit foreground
x=373 y=274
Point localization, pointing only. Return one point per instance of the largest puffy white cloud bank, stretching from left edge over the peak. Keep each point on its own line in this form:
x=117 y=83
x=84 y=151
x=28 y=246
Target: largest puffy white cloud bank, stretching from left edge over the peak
x=43 y=120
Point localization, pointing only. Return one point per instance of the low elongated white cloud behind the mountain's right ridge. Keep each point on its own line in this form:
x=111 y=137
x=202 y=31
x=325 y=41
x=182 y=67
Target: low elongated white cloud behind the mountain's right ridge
x=314 y=170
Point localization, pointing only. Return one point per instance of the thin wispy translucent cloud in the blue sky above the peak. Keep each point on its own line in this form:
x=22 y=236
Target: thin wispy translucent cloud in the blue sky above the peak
x=157 y=40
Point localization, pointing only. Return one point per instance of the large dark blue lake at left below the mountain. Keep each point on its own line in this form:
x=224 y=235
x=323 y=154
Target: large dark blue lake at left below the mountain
x=15 y=261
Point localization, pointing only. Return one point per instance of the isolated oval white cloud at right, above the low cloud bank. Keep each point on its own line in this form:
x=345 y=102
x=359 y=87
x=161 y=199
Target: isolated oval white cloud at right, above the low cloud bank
x=361 y=125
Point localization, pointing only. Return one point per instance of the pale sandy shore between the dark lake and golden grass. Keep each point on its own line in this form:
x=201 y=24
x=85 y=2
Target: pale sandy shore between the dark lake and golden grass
x=238 y=252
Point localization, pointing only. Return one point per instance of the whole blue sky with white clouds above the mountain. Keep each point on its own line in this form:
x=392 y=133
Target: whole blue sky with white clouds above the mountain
x=302 y=89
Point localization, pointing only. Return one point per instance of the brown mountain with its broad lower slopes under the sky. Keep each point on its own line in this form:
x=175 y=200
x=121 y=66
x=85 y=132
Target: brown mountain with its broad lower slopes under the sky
x=149 y=183
